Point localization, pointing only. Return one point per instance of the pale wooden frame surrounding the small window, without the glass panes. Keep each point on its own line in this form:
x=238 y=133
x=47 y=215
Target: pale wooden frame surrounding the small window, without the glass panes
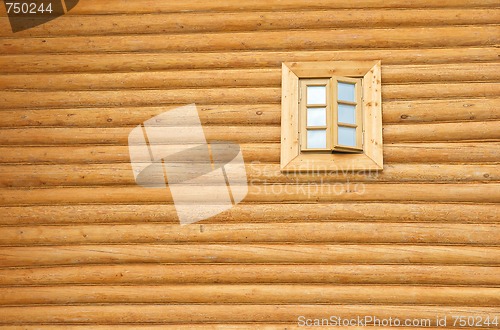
x=292 y=157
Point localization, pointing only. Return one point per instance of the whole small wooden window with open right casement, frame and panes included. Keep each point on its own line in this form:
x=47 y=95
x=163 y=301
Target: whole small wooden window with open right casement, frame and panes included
x=331 y=116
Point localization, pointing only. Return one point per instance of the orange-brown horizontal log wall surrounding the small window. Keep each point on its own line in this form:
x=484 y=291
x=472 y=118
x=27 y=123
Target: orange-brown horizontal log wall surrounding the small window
x=81 y=244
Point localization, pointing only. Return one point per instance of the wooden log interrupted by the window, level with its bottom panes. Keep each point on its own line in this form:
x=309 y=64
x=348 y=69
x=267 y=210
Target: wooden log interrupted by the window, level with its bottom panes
x=432 y=132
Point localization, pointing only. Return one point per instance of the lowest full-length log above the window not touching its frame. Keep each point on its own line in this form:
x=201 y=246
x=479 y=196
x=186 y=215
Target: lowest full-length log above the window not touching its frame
x=415 y=37
